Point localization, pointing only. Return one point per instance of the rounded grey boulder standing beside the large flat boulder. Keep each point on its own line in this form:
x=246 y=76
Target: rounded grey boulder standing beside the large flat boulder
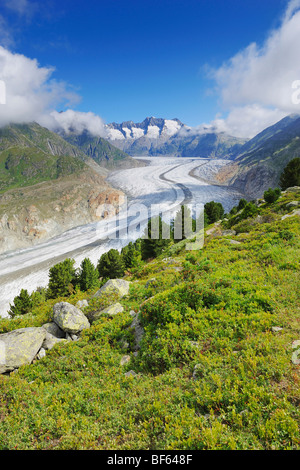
x=69 y=318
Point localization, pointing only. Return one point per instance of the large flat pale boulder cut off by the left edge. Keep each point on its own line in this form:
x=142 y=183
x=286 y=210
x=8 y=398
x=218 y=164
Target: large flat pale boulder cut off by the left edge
x=19 y=347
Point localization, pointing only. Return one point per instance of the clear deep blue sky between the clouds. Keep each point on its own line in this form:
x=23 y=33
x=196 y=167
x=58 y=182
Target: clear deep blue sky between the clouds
x=136 y=58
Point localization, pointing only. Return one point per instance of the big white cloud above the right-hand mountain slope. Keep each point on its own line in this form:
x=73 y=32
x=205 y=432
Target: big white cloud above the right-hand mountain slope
x=255 y=86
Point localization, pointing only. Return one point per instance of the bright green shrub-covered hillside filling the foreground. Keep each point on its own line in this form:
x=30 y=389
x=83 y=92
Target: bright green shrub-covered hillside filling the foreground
x=214 y=370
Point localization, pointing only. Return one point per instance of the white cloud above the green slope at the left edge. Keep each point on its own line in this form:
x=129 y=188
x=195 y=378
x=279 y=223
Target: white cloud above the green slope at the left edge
x=31 y=92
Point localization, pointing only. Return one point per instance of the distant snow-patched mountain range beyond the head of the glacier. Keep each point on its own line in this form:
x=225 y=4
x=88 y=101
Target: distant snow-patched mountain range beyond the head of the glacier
x=156 y=136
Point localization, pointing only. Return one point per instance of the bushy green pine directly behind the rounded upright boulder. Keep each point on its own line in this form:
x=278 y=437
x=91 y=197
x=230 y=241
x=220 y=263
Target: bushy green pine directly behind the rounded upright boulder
x=62 y=279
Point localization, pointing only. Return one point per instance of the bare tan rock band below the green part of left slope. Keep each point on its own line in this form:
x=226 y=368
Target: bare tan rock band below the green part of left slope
x=37 y=213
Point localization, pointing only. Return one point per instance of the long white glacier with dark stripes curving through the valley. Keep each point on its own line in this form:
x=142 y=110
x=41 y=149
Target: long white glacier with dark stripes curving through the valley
x=165 y=182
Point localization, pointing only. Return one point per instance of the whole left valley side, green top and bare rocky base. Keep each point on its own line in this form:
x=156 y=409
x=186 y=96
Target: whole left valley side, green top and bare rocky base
x=47 y=186
